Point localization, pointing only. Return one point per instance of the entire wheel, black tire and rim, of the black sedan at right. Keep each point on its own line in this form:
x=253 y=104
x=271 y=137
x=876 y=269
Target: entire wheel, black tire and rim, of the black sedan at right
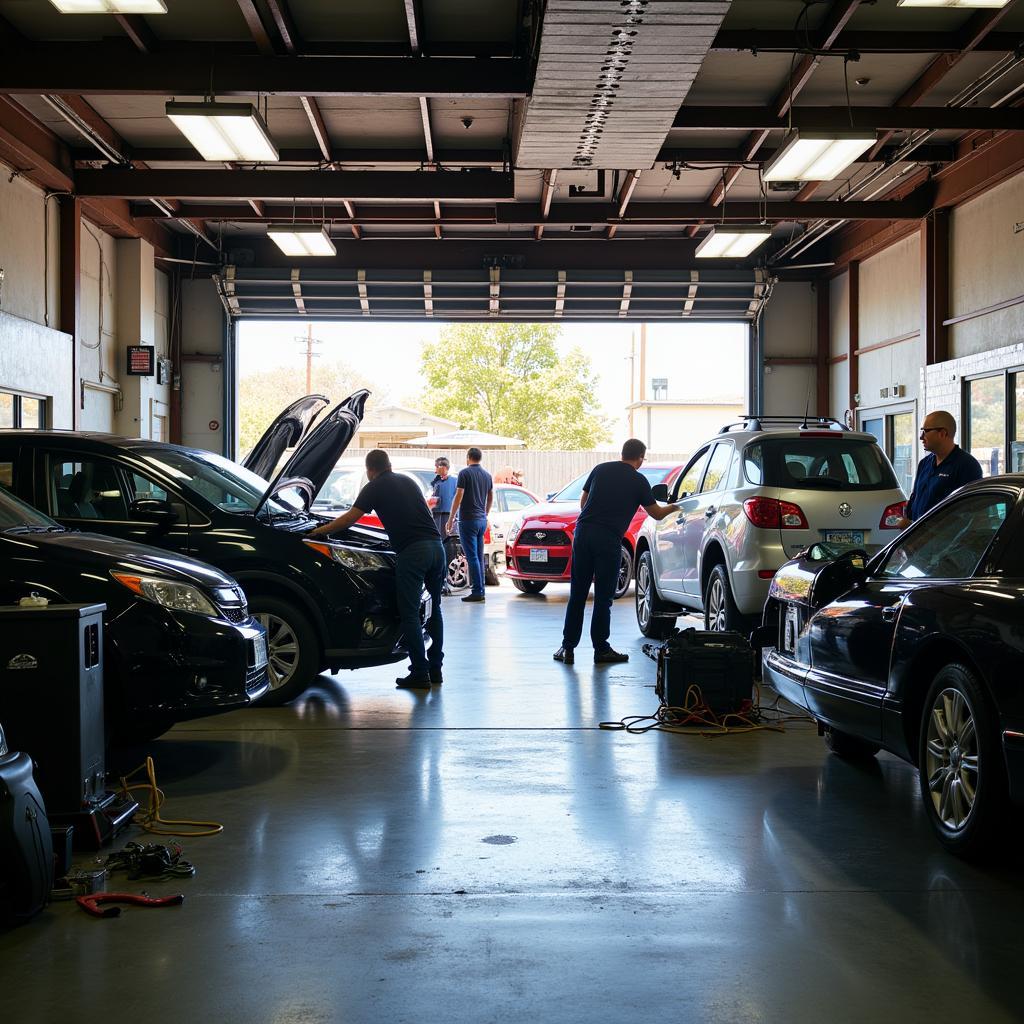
x=961 y=772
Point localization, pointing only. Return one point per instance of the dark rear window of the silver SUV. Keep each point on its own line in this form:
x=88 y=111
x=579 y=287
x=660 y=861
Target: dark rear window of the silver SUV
x=819 y=464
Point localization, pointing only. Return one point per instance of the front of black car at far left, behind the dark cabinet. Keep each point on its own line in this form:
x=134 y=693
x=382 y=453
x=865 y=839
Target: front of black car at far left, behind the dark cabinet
x=180 y=643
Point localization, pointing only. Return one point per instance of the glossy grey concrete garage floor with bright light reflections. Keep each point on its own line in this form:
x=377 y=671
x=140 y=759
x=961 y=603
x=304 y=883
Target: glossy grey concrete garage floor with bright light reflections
x=484 y=854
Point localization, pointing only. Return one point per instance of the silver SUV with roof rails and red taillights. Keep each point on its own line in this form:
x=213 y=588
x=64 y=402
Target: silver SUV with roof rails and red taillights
x=751 y=499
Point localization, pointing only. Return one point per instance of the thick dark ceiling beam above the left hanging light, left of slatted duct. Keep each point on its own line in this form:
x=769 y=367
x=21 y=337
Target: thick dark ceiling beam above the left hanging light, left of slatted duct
x=62 y=69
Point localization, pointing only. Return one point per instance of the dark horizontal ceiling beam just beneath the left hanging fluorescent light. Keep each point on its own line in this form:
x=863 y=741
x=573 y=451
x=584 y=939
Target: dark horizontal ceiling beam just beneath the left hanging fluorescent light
x=289 y=186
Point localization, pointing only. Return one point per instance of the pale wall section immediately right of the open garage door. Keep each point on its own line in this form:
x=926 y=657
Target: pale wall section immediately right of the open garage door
x=789 y=329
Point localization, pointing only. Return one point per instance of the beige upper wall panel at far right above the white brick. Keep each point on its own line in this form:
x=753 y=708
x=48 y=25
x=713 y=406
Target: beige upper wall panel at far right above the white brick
x=987 y=268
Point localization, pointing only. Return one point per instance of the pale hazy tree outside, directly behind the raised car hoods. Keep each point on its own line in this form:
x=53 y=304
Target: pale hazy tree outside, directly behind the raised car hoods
x=263 y=396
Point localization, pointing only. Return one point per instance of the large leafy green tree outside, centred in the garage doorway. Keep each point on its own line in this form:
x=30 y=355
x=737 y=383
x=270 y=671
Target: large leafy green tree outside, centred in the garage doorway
x=510 y=379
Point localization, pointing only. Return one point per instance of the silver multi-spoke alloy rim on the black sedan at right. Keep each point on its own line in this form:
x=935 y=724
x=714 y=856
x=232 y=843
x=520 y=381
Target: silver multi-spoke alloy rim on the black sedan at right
x=952 y=759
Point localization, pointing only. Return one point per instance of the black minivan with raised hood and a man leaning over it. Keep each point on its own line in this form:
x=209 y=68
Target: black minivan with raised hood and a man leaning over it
x=326 y=605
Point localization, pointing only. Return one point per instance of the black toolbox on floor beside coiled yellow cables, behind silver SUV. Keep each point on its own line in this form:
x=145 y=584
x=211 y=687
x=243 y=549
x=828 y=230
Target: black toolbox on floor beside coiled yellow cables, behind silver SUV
x=721 y=665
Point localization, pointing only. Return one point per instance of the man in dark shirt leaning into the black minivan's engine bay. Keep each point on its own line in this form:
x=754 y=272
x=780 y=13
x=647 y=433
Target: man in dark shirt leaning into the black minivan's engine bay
x=400 y=506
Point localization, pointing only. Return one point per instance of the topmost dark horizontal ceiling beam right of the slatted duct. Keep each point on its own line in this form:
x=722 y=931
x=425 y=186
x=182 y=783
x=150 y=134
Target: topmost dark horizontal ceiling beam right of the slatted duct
x=764 y=41
